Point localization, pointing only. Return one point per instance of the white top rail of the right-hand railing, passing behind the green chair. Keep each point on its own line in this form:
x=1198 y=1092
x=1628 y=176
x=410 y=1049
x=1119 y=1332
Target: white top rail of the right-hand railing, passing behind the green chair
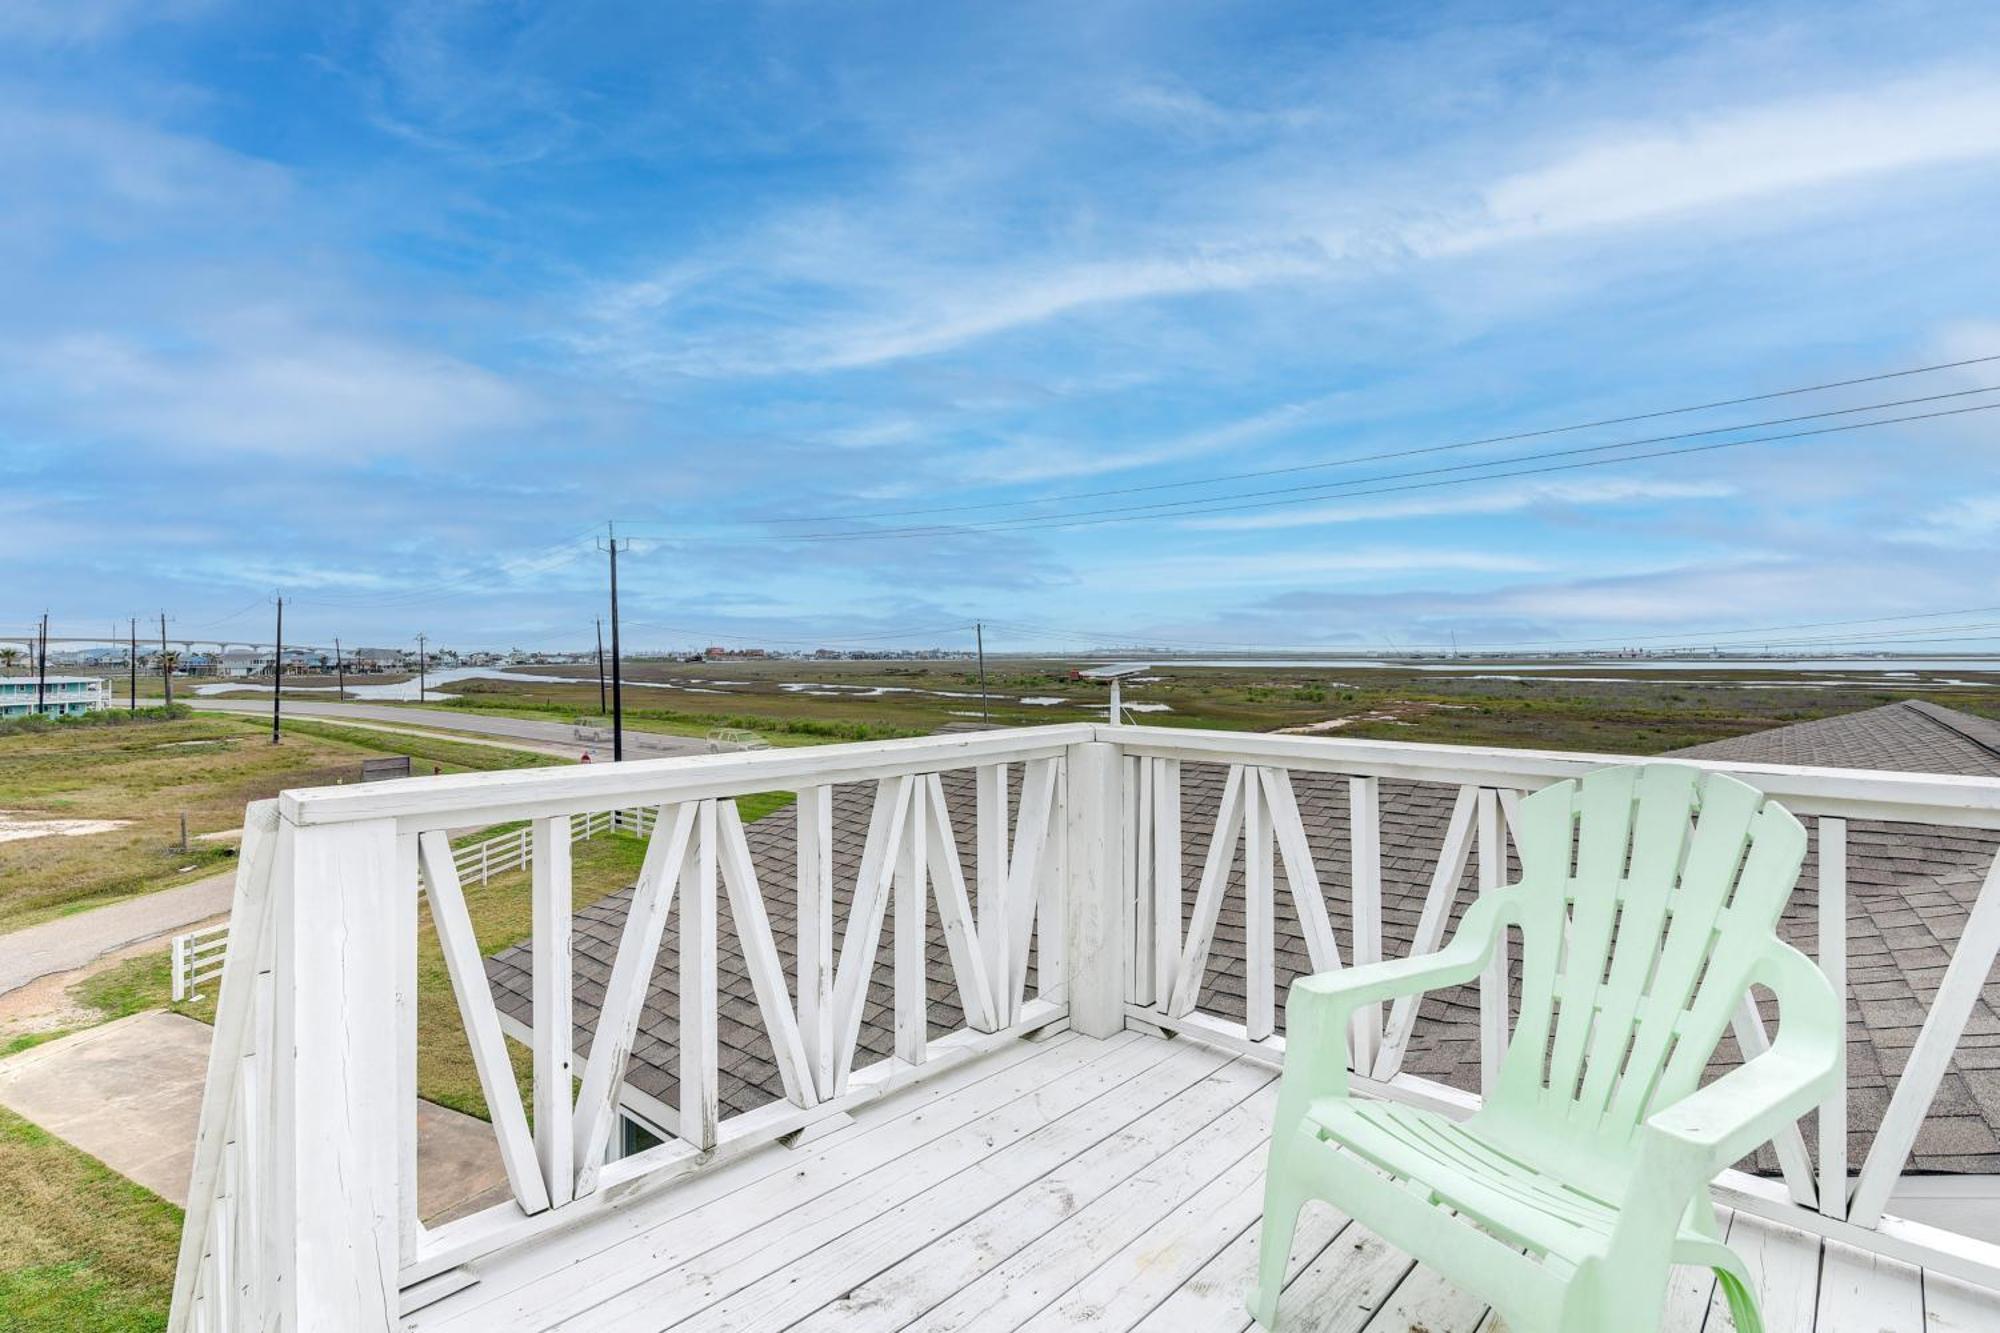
x=1851 y=794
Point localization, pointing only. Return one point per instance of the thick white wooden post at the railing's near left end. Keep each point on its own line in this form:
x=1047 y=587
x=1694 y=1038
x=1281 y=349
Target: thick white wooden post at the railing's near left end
x=335 y=1120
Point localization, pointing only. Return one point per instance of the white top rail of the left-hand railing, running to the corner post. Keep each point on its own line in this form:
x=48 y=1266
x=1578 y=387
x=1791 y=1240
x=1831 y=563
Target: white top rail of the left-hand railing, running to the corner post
x=523 y=794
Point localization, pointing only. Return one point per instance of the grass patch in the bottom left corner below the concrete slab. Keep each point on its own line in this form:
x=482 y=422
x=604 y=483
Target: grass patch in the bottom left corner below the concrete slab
x=81 y=1248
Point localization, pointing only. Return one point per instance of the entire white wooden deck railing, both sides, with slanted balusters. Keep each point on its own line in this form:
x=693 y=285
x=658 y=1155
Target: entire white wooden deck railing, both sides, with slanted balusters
x=303 y=1206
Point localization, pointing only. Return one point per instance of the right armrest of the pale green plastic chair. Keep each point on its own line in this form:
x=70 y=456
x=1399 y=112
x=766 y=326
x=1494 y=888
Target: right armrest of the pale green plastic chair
x=1751 y=1104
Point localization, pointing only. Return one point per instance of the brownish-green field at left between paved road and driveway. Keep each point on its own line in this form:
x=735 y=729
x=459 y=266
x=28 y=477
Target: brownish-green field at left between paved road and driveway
x=149 y=774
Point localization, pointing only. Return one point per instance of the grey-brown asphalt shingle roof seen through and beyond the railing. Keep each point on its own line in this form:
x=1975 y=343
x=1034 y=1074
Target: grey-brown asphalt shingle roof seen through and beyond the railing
x=1909 y=894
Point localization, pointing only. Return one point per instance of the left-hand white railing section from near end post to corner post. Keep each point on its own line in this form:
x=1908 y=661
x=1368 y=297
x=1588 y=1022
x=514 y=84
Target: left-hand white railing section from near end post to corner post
x=303 y=1204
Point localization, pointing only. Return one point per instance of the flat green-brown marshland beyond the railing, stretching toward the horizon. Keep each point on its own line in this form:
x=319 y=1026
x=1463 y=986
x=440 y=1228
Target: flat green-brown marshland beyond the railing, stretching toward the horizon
x=1581 y=708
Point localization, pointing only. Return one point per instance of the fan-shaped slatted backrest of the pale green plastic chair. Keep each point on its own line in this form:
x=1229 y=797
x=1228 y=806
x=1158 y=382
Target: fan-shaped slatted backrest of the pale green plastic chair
x=1645 y=900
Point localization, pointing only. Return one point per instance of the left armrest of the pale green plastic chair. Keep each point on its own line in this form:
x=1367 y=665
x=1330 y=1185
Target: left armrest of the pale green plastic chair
x=1319 y=1008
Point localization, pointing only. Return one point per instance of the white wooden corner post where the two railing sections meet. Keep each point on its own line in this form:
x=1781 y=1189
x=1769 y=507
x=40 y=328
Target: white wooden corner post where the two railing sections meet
x=1093 y=916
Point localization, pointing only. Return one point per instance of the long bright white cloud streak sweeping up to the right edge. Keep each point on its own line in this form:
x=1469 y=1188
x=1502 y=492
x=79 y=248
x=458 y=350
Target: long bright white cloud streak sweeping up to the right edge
x=863 y=281
